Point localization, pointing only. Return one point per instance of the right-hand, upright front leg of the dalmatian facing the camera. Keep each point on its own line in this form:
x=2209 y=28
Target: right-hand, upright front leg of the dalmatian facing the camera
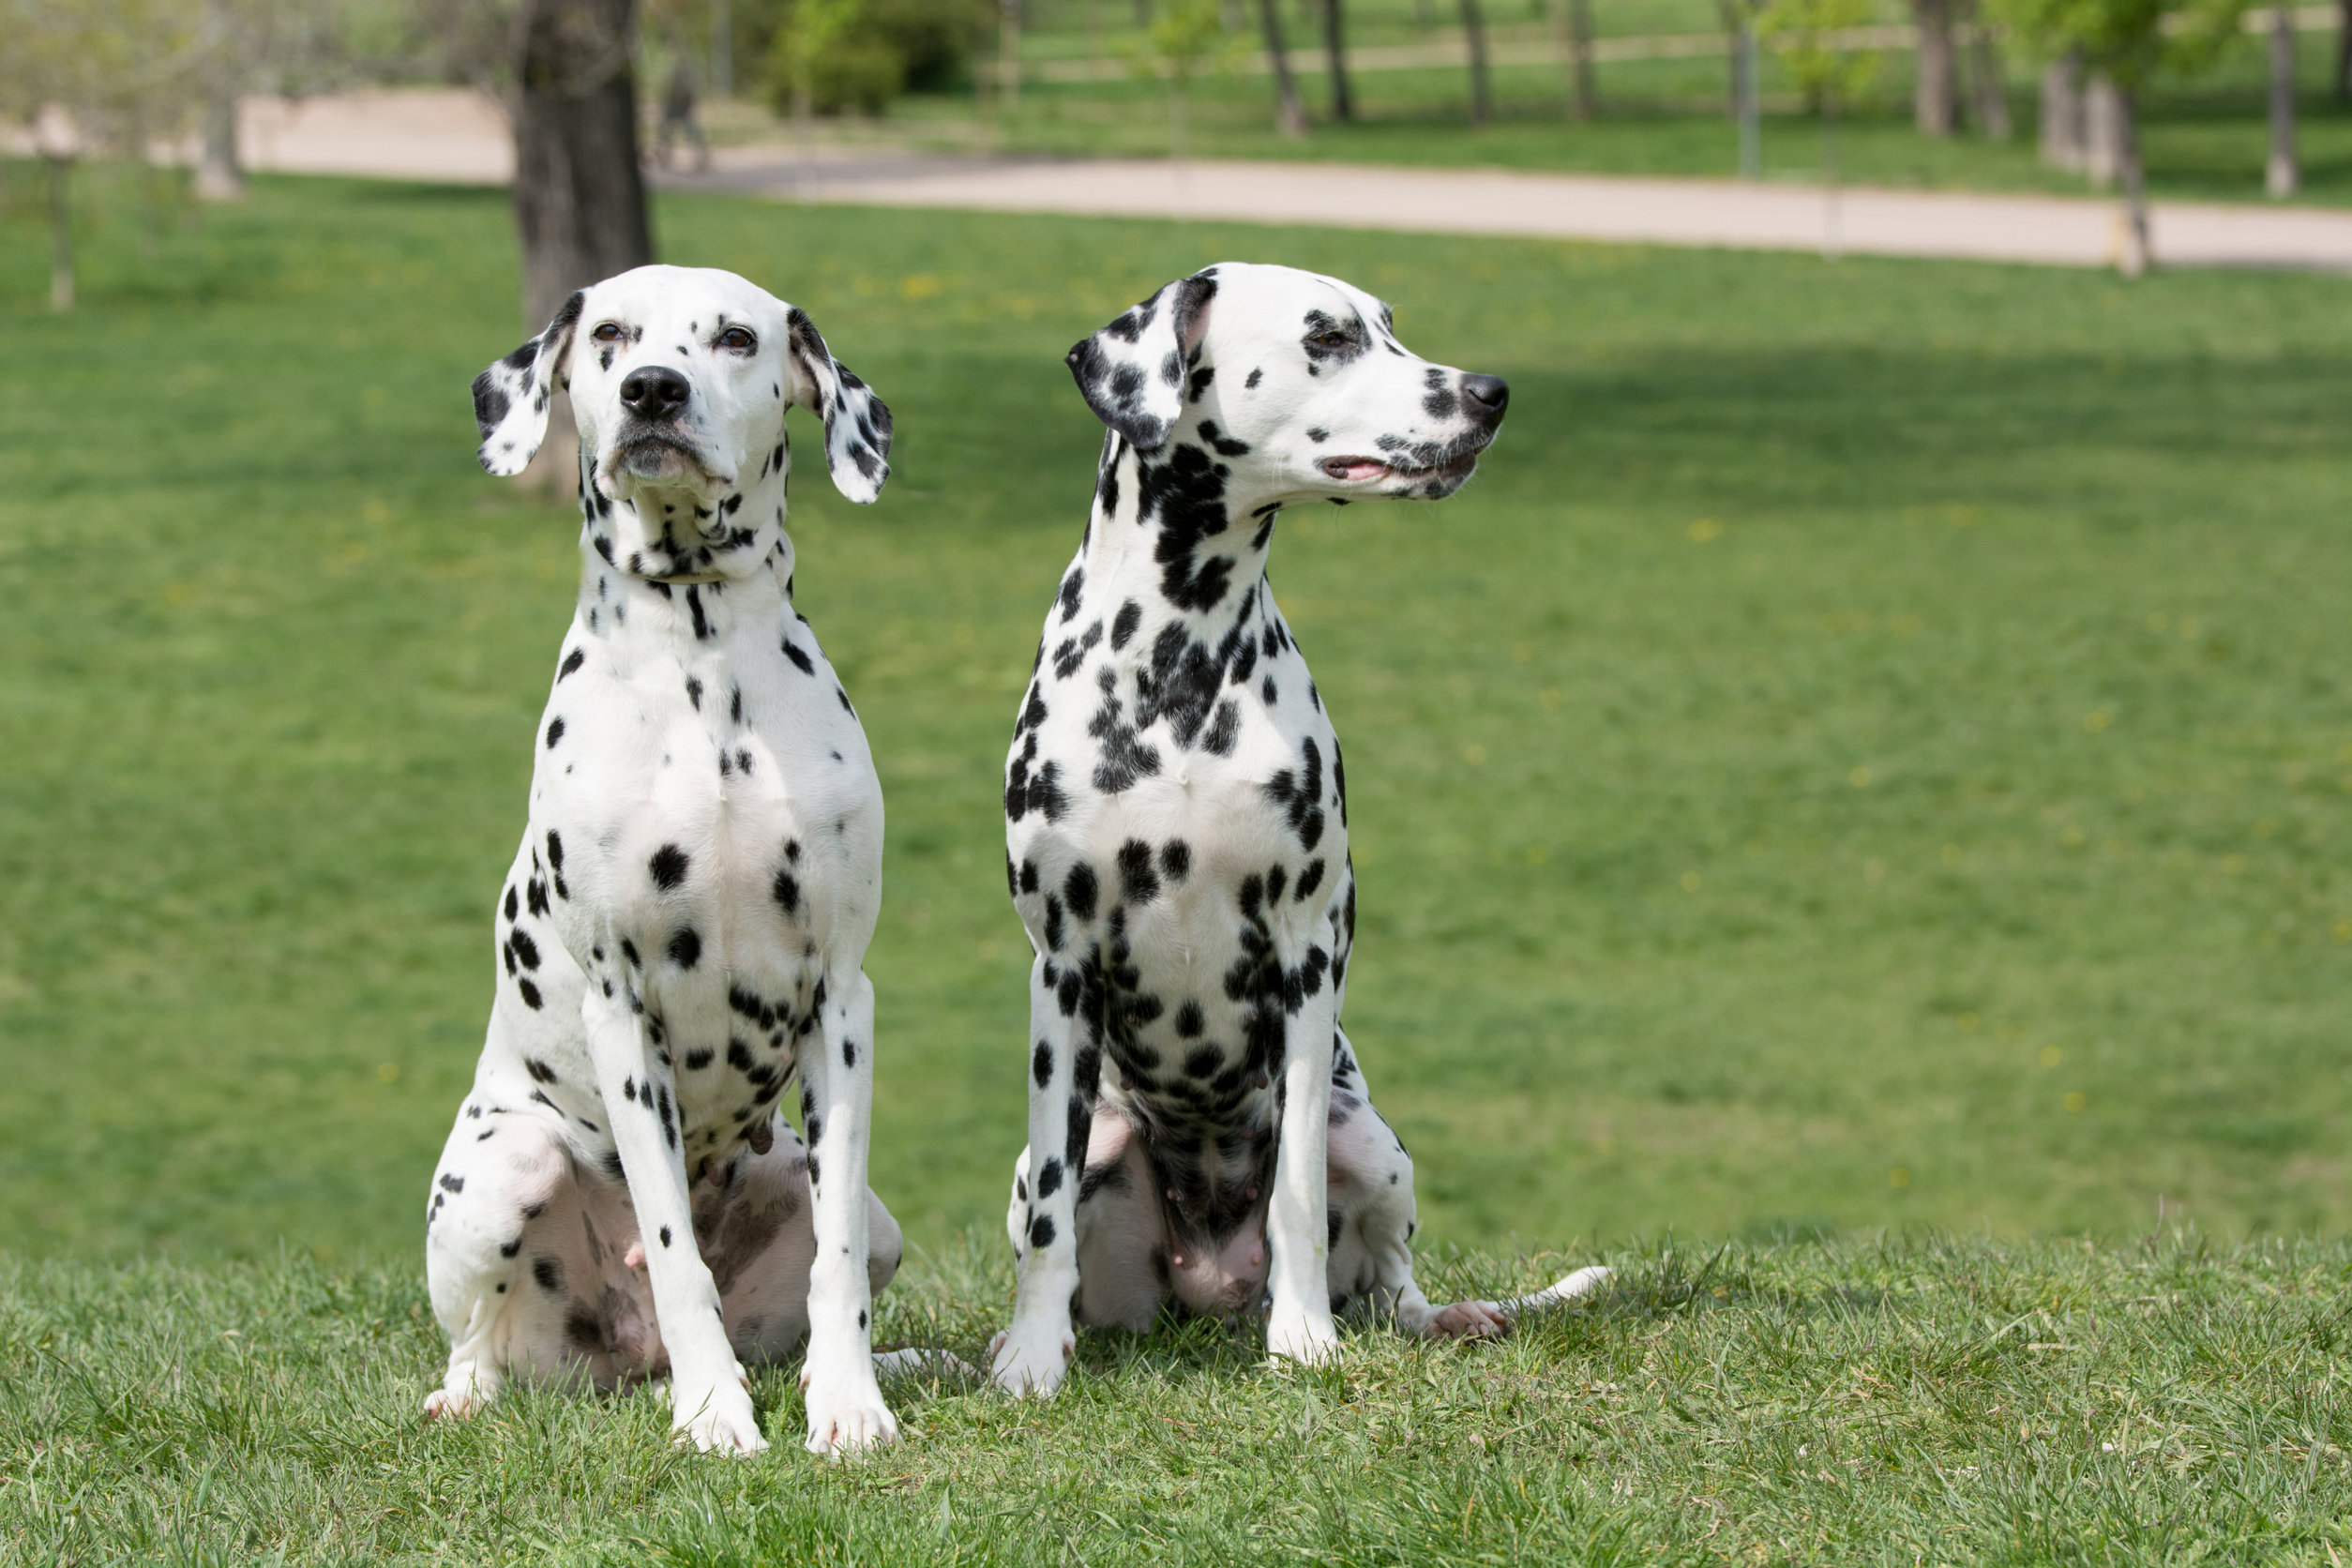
x=838 y=1092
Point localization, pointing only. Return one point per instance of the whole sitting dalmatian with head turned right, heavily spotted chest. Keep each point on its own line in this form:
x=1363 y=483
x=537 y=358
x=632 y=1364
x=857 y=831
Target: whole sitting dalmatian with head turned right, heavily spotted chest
x=1177 y=840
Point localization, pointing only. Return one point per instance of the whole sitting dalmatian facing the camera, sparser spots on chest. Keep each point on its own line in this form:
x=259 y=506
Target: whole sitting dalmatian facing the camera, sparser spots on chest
x=686 y=923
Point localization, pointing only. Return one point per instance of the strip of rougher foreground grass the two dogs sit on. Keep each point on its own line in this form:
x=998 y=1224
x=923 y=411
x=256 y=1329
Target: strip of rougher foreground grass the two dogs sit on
x=2158 y=1402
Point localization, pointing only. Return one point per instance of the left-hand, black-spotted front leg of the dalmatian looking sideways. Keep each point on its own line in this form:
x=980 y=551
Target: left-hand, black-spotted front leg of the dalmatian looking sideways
x=1034 y=1355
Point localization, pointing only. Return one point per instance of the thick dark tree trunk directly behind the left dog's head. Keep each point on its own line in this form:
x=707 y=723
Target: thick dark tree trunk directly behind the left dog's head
x=580 y=199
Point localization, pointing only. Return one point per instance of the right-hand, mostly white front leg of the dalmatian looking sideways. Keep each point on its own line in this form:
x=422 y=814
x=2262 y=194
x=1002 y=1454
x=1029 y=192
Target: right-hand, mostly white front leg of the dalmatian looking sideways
x=1299 y=1219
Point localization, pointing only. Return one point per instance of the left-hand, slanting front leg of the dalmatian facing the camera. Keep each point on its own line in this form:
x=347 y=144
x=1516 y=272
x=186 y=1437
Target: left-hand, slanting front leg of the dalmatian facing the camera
x=709 y=1391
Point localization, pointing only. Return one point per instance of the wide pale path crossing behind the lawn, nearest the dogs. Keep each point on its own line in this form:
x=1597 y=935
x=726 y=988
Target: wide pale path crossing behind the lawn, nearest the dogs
x=453 y=138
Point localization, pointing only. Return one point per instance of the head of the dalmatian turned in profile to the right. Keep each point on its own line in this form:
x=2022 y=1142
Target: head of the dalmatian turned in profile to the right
x=1297 y=384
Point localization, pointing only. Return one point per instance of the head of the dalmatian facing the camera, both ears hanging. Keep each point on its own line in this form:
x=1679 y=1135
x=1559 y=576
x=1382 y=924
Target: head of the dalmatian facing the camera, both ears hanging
x=679 y=382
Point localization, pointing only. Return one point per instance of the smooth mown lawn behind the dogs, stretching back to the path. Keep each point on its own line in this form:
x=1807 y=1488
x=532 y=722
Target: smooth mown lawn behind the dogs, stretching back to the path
x=2052 y=561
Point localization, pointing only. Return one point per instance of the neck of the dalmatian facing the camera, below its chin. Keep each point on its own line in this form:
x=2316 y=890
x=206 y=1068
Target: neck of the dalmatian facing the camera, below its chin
x=681 y=537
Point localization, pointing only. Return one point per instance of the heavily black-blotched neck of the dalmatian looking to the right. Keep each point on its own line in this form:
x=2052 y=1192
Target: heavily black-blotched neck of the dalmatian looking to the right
x=1180 y=535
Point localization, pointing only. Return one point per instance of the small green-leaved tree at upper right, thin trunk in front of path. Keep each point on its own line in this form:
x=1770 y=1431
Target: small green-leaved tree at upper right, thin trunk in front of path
x=2123 y=46
